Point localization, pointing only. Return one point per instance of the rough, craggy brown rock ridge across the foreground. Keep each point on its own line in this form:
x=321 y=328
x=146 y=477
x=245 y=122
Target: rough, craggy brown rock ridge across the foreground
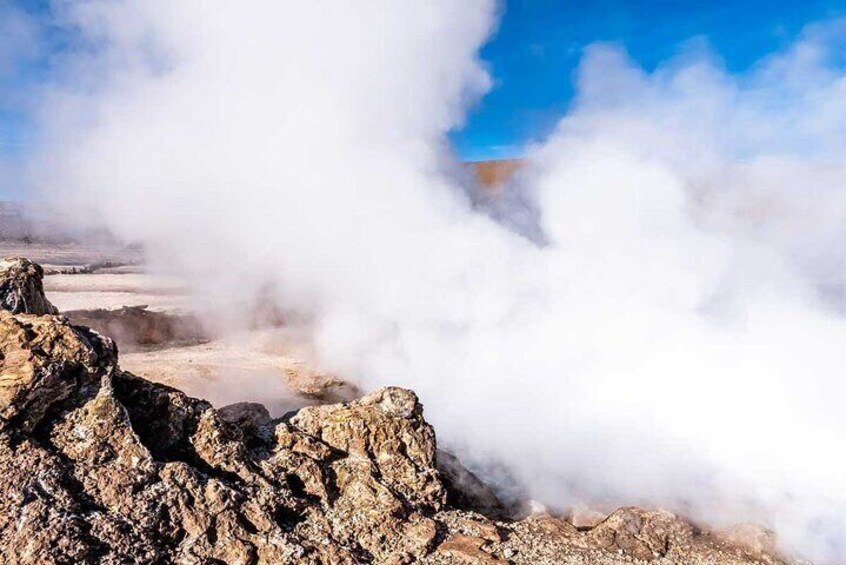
x=100 y=466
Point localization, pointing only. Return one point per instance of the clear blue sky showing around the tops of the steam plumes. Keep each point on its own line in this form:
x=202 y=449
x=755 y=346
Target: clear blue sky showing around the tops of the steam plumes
x=532 y=56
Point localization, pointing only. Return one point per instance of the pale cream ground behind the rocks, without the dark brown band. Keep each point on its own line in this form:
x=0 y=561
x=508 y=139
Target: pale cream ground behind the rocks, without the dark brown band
x=258 y=366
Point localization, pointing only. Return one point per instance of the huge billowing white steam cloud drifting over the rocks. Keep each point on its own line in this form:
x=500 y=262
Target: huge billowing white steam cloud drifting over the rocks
x=676 y=341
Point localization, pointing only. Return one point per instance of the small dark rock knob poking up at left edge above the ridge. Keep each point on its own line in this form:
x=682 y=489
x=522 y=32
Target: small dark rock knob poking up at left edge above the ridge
x=22 y=289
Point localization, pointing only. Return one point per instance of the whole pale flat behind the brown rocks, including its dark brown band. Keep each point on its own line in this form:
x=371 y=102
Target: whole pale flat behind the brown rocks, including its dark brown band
x=164 y=333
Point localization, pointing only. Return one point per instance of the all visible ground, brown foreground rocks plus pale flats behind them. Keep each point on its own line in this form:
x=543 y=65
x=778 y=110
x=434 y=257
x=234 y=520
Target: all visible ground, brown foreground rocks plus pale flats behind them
x=290 y=477
